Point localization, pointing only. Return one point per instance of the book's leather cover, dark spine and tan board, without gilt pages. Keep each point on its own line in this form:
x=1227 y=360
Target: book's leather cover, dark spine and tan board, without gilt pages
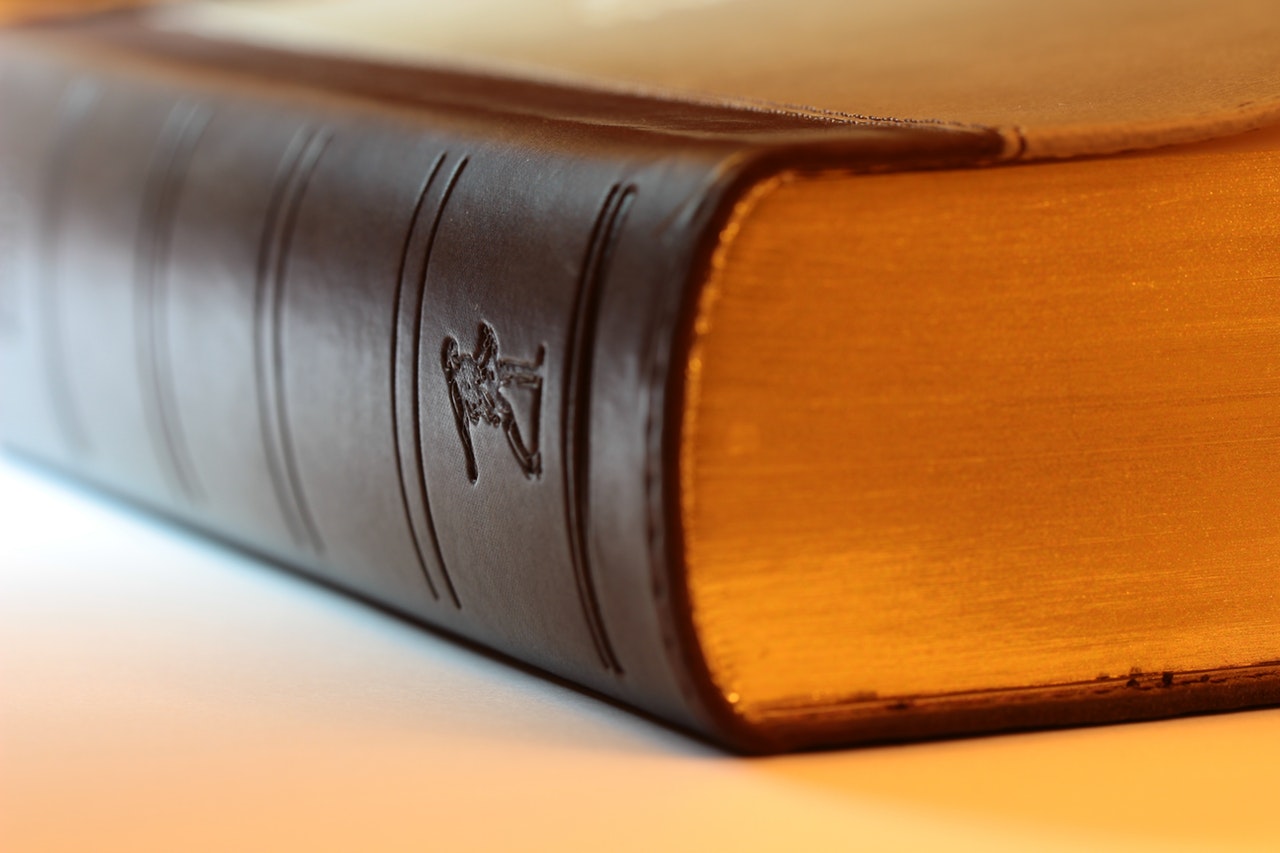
x=409 y=317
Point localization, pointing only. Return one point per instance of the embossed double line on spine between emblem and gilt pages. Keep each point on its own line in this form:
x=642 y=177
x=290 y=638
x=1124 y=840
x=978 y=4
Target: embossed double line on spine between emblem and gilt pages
x=577 y=417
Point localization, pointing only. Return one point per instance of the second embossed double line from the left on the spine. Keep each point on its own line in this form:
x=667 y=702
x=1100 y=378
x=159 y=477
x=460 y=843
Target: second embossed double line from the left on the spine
x=177 y=145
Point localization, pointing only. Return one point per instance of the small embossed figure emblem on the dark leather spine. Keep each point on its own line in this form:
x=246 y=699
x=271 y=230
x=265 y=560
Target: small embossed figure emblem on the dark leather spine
x=479 y=384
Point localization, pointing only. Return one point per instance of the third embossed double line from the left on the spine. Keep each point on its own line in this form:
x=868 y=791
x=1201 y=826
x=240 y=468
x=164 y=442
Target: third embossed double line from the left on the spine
x=290 y=186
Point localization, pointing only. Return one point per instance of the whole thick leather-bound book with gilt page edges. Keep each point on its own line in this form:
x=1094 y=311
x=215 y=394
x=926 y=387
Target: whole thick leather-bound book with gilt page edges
x=799 y=375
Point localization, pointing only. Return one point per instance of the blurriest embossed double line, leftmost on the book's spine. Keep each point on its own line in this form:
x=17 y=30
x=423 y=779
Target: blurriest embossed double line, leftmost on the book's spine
x=76 y=107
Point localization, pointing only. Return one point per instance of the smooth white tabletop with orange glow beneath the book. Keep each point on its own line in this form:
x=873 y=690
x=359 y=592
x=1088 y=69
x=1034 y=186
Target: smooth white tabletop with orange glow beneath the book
x=163 y=694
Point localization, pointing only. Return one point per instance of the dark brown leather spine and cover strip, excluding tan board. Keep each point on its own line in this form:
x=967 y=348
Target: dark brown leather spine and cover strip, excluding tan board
x=263 y=293
